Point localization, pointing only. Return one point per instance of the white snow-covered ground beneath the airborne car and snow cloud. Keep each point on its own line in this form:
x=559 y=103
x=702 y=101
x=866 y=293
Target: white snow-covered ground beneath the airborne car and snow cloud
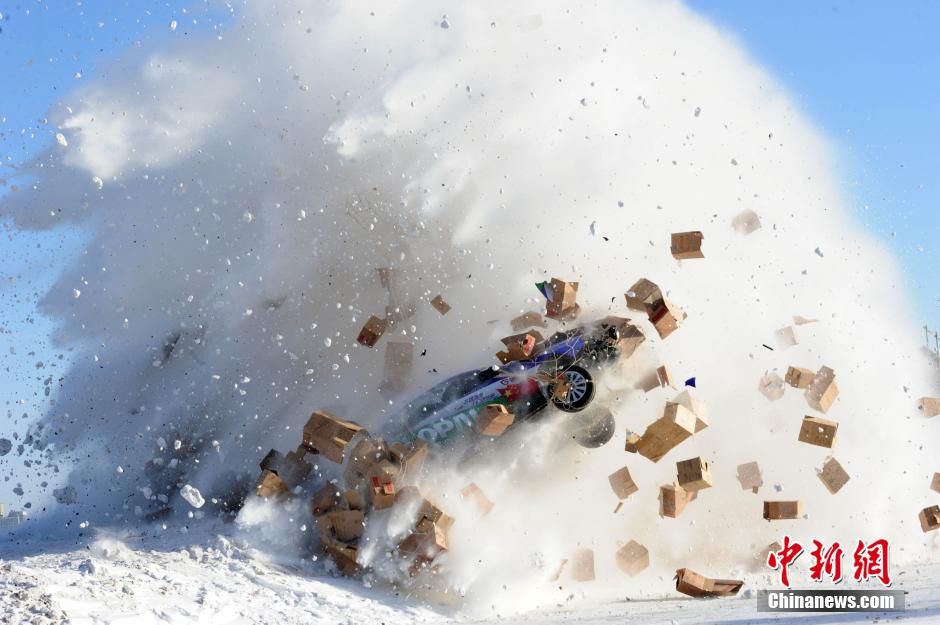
x=209 y=576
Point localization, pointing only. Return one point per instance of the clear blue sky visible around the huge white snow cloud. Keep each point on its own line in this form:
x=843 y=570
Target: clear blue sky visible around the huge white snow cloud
x=866 y=73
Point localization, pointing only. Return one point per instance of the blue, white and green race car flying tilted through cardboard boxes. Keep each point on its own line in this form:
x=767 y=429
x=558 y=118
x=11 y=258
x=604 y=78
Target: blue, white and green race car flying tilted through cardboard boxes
x=448 y=411
